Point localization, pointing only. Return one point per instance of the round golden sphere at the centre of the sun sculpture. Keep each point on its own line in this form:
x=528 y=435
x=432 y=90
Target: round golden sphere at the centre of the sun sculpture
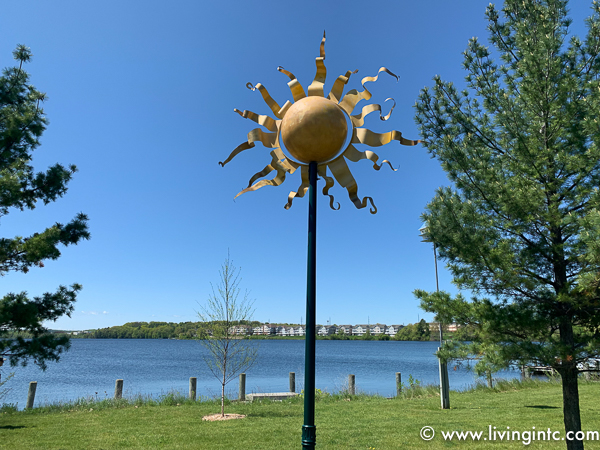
x=314 y=129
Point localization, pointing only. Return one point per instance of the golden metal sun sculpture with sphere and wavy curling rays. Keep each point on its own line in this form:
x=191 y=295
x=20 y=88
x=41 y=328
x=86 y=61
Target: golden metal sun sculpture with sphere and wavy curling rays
x=314 y=129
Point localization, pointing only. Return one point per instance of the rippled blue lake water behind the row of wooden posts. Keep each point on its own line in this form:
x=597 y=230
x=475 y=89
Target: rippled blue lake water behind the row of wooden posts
x=155 y=367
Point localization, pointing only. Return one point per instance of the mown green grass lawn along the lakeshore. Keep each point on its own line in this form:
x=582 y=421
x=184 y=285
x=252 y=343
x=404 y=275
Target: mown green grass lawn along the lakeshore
x=343 y=421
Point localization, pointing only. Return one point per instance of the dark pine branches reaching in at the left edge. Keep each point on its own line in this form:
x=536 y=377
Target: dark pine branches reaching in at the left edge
x=22 y=122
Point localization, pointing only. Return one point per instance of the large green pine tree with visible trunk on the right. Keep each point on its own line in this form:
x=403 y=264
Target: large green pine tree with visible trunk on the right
x=520 y=226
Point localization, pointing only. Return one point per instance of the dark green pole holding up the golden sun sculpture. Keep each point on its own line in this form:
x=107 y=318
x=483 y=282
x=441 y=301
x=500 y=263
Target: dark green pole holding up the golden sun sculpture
x=309 y=430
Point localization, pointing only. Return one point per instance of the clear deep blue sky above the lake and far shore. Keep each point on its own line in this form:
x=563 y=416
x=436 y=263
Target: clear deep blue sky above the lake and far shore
x=141 y=97
